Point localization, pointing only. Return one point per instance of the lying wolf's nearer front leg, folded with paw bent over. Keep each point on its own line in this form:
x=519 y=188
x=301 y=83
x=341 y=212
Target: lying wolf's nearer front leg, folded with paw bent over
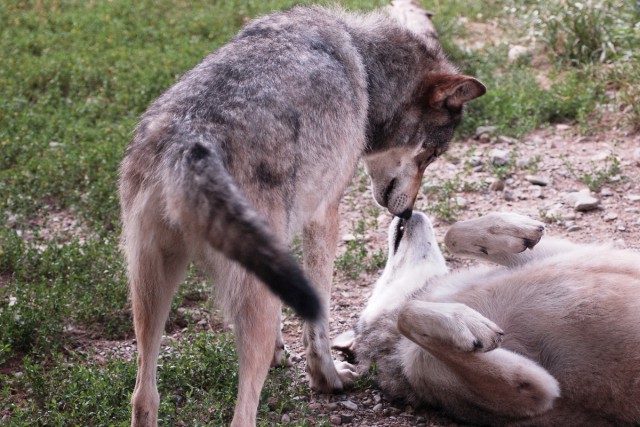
x=499 y=381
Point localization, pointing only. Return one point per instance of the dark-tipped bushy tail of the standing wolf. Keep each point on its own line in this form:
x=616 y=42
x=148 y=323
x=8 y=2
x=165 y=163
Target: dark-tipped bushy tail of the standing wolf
x=207 y=194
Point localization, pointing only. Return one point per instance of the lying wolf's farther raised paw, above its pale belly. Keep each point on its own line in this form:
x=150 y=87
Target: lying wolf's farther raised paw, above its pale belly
x=493 y=234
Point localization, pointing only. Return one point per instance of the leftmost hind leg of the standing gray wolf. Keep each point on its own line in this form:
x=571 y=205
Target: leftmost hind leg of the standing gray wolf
x=157 y=262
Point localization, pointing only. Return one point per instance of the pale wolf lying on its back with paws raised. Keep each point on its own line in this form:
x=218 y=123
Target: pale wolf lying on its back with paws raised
x=551 y=339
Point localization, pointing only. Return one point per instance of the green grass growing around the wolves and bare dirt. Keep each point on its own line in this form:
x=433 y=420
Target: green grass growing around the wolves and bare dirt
x=75 y=77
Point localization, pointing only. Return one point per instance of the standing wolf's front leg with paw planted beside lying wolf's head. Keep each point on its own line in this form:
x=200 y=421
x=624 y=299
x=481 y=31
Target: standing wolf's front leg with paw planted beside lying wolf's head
x=320 y=241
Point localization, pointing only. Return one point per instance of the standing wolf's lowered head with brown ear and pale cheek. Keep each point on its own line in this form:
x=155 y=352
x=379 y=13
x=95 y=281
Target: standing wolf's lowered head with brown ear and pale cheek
x=416 y=138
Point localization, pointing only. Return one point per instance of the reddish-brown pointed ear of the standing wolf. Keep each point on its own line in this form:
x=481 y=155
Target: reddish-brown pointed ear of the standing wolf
x=452 y=90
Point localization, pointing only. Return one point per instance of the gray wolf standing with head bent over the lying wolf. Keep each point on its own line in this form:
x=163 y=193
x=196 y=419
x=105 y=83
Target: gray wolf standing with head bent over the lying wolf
x=258 y=143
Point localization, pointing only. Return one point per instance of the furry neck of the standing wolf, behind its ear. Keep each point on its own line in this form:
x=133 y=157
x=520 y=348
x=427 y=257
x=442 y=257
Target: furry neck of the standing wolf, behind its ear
x=397 y=63
